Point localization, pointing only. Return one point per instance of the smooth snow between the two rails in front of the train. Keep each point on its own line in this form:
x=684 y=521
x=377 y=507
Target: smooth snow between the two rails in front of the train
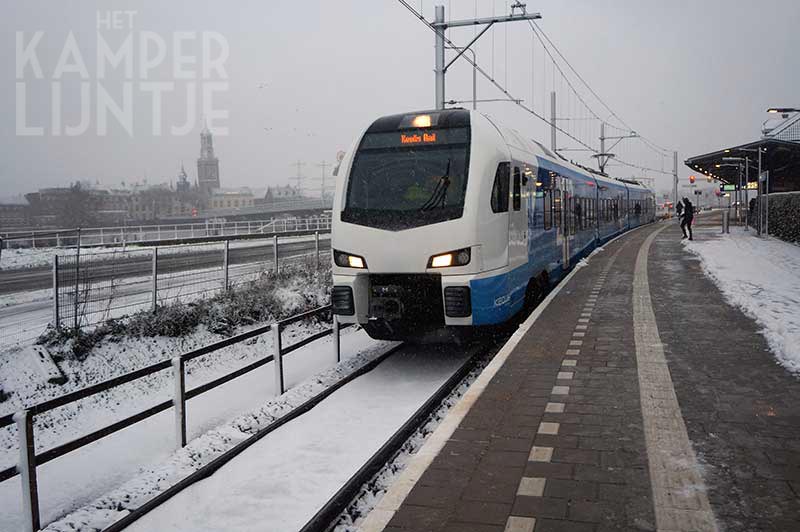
x=281 y=482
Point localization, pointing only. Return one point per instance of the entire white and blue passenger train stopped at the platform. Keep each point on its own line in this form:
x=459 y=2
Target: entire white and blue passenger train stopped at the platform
x=445 y=220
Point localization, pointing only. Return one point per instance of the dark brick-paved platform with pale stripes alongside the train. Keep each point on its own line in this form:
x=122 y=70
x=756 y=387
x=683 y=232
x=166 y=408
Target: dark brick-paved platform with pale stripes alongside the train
x=634 y=398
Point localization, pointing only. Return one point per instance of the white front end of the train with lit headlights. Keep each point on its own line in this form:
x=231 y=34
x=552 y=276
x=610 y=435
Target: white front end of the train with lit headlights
x=406 y=239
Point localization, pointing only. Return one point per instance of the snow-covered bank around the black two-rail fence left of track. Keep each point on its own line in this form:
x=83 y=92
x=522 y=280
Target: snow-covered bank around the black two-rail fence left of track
x=100 y=474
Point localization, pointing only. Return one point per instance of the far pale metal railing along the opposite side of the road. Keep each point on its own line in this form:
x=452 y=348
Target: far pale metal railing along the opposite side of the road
x=131 y=234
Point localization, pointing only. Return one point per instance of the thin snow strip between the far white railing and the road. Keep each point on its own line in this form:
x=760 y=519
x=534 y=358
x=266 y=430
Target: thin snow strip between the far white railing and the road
x=19 y=258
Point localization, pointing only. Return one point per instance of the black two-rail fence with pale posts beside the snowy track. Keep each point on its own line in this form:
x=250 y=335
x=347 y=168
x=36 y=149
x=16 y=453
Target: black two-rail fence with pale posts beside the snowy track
x=24 y=420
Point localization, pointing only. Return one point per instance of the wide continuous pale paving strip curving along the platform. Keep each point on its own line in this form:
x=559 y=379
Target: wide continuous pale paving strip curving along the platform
x=679 y=494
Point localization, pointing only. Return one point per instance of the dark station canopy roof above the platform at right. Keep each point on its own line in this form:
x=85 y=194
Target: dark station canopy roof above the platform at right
x=780 y=155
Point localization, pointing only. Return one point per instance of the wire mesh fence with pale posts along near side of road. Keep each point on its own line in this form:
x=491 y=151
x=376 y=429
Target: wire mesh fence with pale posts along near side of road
x=91 y=287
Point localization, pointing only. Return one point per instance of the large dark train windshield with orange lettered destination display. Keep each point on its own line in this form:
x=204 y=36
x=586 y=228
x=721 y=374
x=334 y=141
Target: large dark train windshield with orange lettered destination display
x=401 y=180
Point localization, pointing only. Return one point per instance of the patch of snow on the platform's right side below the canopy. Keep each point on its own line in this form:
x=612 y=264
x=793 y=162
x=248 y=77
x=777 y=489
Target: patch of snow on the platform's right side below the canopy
x=760 y=276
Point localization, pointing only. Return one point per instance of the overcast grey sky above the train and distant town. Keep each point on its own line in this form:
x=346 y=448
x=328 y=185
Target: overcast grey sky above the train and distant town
x=302 y=78
